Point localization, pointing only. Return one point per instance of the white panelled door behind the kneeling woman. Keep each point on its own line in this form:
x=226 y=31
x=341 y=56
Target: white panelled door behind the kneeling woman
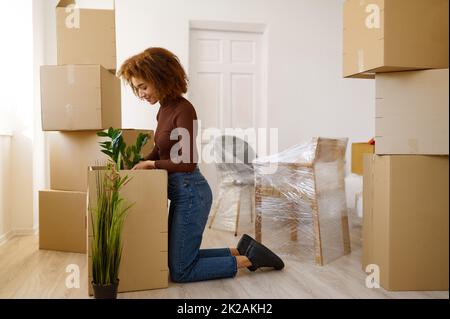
x=225 y=82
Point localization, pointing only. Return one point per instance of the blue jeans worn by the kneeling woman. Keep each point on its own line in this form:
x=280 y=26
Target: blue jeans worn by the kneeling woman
x=190 y=202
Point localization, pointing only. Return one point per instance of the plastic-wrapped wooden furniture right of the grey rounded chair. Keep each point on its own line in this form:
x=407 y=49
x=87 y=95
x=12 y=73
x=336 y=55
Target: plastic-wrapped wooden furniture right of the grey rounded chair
x=306 y=183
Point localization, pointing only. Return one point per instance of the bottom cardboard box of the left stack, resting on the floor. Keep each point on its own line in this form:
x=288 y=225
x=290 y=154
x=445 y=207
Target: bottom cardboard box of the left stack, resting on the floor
x=62 y=221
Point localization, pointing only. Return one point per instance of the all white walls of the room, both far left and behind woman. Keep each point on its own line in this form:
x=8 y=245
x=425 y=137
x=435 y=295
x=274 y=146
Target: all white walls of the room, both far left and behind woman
x=306 y=94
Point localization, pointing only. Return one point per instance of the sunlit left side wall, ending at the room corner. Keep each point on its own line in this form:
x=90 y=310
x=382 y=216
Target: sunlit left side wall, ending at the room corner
x=17 y=87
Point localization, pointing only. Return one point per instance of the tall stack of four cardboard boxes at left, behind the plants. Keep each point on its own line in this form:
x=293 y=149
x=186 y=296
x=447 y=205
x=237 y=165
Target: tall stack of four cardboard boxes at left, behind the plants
x=79 y=96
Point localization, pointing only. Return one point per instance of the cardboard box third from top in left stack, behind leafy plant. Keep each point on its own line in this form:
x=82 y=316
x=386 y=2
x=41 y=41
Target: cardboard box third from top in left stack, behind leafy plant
x=71 y=153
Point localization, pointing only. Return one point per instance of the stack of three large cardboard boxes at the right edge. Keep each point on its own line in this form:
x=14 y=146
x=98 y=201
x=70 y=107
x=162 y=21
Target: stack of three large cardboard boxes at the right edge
x=403 y=44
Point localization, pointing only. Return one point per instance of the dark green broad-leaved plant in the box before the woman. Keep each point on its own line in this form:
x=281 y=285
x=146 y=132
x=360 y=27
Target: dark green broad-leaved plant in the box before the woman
x=118 y=151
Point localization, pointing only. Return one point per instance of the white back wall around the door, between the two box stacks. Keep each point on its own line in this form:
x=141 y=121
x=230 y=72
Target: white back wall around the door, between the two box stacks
x=306 y=94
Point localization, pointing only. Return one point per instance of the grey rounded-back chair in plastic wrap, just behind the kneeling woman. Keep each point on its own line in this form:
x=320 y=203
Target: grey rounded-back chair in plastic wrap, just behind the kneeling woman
x=233 y=157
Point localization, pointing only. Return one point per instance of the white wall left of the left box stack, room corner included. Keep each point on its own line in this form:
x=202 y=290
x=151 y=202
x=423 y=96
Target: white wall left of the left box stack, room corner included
x=24 y=170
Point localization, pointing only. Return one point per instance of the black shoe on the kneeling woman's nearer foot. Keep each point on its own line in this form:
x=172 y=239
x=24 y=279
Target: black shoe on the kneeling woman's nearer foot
x=261 y=256
